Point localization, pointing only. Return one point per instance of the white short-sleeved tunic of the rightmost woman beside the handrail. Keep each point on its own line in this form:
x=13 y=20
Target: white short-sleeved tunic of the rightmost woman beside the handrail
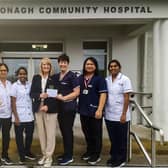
x=115 y=100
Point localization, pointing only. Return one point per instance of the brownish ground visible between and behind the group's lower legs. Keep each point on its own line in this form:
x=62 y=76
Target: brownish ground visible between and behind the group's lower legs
x=137 y=158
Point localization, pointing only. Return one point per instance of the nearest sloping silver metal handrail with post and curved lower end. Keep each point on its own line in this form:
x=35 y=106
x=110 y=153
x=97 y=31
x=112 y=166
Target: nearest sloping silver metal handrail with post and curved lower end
x=152 y=160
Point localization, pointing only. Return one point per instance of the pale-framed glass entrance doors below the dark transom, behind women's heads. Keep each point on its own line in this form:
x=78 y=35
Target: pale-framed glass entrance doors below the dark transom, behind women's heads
x=29 y=60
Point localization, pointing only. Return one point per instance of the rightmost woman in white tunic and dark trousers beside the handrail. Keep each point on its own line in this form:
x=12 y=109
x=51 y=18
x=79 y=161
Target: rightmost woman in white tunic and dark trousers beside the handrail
x=117 y=115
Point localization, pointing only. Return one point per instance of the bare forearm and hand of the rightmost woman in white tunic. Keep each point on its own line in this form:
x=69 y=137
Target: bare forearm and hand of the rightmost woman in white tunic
x=125 y=108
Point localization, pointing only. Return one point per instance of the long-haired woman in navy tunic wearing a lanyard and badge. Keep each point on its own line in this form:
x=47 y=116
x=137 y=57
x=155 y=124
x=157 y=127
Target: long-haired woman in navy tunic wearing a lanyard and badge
x=93 y=92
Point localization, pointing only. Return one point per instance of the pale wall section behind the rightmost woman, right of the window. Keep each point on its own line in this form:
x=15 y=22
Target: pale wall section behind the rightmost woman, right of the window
x=126 y=51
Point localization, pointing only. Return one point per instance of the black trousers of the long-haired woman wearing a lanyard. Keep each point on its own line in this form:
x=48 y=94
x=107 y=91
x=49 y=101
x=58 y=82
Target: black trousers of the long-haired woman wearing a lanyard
x=92 y=129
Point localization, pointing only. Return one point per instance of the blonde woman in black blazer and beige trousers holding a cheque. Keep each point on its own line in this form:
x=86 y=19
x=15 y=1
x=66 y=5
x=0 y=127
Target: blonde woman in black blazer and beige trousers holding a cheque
x=44 y=106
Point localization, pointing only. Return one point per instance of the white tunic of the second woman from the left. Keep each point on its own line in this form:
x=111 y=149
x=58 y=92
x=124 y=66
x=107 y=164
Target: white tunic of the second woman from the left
x=23 y=101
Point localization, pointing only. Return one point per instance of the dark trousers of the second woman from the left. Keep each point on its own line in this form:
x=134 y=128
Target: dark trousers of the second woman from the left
x=24 y=145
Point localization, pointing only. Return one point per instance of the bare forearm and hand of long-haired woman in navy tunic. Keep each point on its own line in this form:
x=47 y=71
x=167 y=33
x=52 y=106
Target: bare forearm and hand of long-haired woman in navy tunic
x=102 y=101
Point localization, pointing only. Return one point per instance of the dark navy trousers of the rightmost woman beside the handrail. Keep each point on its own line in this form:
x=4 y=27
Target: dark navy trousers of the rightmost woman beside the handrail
x=118 y=134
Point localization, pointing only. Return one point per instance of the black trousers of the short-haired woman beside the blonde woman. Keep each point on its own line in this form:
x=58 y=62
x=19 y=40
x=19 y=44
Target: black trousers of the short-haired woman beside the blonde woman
x=66 y=121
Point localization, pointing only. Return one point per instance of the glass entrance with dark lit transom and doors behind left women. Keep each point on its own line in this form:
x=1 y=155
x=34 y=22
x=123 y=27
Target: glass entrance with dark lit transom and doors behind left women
x=24 y=54
